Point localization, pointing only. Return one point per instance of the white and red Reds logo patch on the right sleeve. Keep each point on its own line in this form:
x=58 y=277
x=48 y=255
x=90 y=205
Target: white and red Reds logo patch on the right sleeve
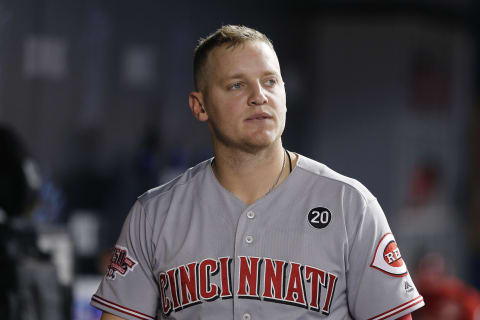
x=388 y=259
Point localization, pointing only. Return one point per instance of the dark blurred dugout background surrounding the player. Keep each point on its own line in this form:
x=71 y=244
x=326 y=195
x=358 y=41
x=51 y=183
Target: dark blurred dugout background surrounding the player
x=94 y=111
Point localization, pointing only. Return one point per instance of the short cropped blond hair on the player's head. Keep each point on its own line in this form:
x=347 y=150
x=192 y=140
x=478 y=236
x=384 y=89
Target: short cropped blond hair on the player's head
x=233 y=35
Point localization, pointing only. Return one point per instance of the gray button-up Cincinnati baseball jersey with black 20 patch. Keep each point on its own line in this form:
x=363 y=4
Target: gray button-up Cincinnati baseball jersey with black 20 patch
x=316 y=247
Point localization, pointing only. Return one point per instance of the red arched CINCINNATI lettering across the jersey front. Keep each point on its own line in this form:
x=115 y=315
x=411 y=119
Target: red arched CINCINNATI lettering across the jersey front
x=264 y=279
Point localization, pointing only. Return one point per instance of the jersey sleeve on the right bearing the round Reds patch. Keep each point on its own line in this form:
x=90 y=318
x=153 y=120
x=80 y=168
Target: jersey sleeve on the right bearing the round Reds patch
x=378 y=282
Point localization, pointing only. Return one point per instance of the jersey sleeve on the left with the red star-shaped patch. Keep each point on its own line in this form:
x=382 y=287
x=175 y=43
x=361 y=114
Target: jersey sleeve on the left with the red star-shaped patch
x=129 y=289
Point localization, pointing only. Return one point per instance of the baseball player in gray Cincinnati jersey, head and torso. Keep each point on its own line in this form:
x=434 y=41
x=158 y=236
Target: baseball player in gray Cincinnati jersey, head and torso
x=257 y=232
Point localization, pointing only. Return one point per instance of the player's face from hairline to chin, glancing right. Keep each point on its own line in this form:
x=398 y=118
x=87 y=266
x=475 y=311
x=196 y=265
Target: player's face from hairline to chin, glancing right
x=244 y=96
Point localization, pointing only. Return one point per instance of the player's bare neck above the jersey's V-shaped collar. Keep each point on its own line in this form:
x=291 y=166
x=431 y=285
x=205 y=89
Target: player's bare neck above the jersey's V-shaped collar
x=251 y=175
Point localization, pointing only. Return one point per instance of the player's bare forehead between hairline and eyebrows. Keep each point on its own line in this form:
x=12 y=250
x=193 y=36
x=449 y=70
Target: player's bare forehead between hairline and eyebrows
x=248 y=58
